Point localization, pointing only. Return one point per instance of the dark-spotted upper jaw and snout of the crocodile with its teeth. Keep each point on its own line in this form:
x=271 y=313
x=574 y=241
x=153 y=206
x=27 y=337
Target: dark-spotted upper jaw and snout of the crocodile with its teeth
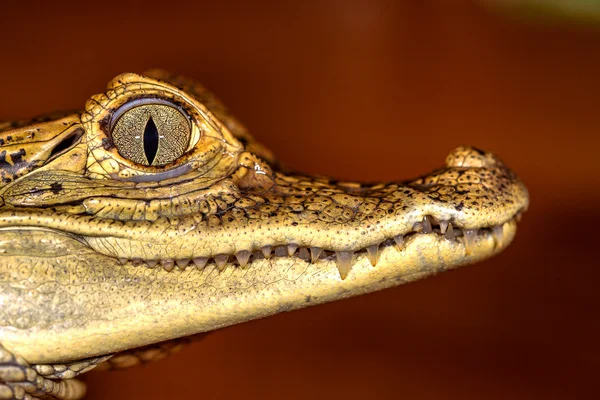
x=233 y=223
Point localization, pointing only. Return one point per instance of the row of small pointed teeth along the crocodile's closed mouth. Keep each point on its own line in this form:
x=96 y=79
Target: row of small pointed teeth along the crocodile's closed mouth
x=344 y=258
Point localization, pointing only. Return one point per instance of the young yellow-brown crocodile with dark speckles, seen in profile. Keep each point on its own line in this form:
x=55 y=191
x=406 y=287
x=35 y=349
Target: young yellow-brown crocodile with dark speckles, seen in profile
x=153 y=215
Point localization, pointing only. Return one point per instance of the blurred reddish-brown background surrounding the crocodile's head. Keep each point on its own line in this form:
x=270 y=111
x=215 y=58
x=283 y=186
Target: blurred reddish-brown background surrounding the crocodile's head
x=369 y=90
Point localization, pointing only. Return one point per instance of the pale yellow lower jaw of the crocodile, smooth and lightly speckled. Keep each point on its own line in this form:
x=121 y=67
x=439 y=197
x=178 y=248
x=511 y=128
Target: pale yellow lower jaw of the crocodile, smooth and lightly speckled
x=92 y=306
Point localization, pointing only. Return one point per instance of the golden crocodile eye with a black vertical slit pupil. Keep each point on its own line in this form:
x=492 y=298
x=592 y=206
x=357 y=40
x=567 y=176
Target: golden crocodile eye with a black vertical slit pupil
x=151 y=134
